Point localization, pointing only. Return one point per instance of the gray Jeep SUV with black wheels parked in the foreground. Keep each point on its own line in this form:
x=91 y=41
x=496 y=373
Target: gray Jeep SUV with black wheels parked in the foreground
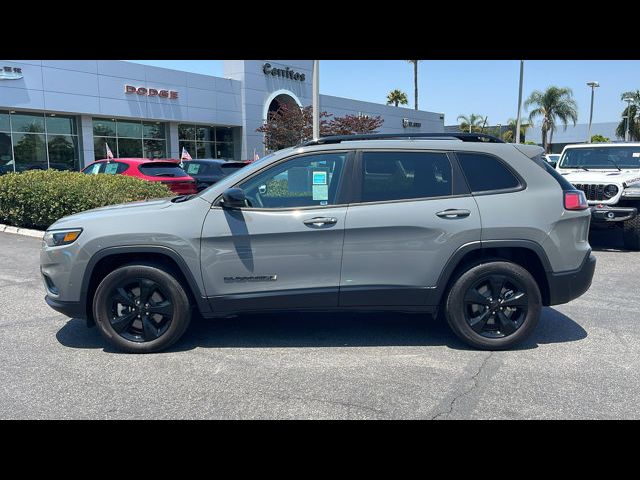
x=482 y=232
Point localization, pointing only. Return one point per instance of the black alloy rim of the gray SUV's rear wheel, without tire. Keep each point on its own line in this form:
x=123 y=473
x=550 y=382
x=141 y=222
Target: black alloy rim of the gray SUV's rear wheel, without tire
x=496 y=306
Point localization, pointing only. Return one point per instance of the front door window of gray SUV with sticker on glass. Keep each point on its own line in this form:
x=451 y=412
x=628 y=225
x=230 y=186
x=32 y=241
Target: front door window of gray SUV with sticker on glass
x=306 y=181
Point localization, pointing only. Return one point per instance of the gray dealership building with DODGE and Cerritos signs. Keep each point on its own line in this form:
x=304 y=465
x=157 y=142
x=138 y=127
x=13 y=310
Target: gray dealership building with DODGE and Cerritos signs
x=62 y=113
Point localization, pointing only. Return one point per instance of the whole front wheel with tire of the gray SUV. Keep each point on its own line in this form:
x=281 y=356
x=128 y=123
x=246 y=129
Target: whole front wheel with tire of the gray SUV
x=156 y=324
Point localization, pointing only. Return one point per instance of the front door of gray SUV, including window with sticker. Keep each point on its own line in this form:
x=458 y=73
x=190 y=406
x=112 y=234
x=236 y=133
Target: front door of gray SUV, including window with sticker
x=285 y=248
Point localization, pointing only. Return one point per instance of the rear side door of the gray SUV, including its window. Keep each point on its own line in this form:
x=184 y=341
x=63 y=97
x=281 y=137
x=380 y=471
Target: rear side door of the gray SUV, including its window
x=413 y=211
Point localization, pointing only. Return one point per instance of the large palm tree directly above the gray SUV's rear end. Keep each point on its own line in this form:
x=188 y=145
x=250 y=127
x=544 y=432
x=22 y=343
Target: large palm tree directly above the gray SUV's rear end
x=553 y=104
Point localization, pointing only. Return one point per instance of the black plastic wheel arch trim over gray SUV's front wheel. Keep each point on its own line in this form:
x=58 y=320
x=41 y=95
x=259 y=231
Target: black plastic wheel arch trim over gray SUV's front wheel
x=107 y=260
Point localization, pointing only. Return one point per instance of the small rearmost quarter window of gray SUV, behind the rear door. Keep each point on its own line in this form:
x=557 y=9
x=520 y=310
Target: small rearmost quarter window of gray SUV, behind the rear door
x=486 y=173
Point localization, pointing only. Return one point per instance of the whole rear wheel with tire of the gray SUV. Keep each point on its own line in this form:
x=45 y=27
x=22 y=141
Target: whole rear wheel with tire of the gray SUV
x=504 y=326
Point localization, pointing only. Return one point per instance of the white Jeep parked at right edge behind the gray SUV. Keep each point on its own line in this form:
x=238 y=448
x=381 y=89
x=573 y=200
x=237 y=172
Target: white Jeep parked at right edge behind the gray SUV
x=609 y=175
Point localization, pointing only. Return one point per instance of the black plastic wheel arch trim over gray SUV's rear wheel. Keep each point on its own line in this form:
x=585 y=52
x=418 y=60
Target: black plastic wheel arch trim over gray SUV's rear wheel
x=525 y=253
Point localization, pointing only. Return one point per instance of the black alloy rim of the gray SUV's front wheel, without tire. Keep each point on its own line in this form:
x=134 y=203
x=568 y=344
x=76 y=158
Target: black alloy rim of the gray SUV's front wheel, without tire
x=141 y=311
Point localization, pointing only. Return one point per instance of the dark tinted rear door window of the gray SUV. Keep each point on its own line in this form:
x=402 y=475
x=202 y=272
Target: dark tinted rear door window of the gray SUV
x=405 y=175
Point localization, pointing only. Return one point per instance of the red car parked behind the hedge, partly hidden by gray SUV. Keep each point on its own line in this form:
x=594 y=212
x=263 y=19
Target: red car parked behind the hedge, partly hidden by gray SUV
x=165 y=171
